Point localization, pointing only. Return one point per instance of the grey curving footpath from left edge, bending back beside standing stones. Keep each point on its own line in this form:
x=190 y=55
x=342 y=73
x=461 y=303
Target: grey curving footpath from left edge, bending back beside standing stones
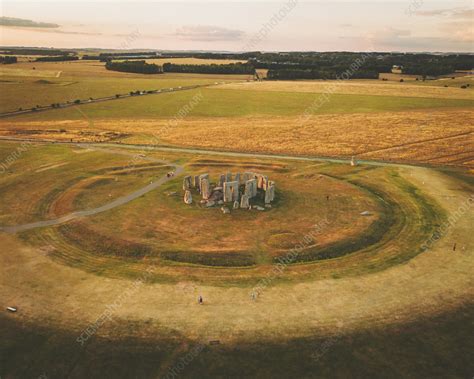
x=113 y=204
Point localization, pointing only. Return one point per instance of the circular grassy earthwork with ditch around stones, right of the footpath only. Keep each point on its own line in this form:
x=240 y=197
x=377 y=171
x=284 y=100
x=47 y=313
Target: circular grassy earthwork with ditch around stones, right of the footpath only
x=402 y=219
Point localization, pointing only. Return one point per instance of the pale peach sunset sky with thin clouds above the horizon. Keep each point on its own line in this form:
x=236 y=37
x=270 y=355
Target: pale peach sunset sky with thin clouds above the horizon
x=416 y=25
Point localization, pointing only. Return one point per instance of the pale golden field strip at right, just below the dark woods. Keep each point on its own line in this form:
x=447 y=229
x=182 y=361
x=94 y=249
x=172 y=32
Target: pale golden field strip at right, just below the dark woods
x=368 y=87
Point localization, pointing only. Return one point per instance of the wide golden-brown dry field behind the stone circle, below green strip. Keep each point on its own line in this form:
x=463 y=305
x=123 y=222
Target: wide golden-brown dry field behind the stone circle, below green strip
x=439 y=137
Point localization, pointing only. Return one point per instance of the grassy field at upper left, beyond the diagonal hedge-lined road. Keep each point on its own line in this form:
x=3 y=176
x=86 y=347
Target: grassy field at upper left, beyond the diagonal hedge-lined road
x=58 y=82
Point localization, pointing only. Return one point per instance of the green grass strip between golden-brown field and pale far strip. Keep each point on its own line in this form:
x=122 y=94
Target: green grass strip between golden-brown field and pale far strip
x=236 y=103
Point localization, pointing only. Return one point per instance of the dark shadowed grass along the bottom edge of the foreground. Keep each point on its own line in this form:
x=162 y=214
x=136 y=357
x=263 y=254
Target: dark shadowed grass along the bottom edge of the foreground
x=434 y=347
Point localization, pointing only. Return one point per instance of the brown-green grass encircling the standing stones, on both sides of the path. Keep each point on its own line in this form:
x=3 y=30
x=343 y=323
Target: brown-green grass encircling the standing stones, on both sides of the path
x=307 y=193
